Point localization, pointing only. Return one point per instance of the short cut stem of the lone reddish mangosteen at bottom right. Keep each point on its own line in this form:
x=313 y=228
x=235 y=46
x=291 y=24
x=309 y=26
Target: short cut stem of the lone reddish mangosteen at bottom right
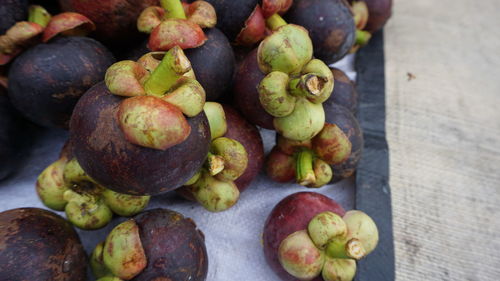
x=346 y=249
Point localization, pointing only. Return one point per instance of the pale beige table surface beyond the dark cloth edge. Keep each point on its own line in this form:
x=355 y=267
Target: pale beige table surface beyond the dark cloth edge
x=443 y=131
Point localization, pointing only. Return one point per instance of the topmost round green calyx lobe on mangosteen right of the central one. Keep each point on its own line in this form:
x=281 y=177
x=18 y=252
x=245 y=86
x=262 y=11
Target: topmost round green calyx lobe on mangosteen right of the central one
x=273 y=55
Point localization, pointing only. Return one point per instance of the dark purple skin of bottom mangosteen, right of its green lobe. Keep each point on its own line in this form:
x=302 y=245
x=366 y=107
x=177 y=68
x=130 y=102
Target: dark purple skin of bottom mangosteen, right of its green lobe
x=174 y=247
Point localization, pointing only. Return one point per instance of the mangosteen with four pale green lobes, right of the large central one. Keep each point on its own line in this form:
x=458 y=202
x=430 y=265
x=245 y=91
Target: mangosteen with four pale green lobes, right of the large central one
x=293 y=87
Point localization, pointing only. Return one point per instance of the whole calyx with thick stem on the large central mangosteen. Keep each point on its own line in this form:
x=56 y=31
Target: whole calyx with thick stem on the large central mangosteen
x=162 y=89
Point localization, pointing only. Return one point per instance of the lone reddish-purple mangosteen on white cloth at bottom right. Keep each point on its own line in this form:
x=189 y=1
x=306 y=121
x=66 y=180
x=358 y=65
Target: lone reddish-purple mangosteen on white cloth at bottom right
x=308 y=236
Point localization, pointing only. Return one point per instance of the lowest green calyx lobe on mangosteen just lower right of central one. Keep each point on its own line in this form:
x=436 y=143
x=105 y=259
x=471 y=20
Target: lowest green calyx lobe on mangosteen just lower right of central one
x=213 y=194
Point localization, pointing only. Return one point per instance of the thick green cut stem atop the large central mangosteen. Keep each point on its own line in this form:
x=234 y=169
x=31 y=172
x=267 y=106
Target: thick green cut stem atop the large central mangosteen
x=172 y=67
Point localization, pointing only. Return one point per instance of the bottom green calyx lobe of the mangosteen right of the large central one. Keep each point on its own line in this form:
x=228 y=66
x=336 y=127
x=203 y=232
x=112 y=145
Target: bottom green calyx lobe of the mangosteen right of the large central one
x=306 y=120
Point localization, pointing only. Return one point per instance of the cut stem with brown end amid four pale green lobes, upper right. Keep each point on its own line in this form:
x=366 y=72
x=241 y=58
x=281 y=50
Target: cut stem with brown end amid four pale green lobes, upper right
x=307 y=85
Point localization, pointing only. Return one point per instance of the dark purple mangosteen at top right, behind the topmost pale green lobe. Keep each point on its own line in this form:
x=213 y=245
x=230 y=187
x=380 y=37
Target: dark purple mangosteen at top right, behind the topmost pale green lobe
x=330 y=24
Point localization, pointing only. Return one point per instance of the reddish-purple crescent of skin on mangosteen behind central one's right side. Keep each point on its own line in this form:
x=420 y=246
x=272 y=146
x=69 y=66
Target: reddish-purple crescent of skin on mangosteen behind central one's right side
x=248 y=135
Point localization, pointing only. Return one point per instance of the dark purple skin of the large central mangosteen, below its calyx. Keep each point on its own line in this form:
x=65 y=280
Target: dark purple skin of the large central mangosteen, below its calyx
x=107 y=157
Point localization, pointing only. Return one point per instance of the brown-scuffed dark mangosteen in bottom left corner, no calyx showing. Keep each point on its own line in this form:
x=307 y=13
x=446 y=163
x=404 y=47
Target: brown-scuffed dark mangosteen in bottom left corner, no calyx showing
x=39 y=245
